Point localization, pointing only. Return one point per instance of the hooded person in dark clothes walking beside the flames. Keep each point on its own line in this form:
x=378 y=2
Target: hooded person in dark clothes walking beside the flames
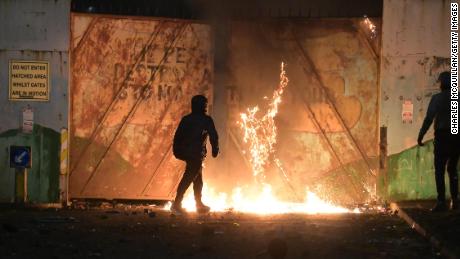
x=189 y=145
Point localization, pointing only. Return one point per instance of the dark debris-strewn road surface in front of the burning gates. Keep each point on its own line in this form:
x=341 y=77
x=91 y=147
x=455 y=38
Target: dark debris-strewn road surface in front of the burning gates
x=132 y=233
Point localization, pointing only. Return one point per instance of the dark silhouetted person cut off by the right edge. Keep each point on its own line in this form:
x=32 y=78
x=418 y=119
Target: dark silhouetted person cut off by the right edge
x=446 y=145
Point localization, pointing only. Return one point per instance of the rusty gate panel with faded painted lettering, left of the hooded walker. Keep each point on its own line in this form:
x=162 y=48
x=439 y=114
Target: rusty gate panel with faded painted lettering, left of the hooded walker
x=132 y=81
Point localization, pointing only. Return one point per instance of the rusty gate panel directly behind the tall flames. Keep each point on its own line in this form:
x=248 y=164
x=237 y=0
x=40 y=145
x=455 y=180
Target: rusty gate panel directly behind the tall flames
x=328 y=119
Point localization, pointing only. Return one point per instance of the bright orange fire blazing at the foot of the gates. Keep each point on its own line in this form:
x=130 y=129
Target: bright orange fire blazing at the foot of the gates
x=260 y=134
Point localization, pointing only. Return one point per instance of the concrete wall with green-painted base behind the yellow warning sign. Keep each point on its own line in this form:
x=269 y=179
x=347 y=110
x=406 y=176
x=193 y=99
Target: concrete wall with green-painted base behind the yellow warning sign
x=34 y=30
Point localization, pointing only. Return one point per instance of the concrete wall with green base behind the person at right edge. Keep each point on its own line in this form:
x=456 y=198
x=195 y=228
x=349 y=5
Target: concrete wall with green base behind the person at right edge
x=415 y=49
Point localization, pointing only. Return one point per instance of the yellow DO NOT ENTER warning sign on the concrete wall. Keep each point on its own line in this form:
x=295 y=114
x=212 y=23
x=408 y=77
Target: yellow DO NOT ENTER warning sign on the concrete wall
x=29 y=80
